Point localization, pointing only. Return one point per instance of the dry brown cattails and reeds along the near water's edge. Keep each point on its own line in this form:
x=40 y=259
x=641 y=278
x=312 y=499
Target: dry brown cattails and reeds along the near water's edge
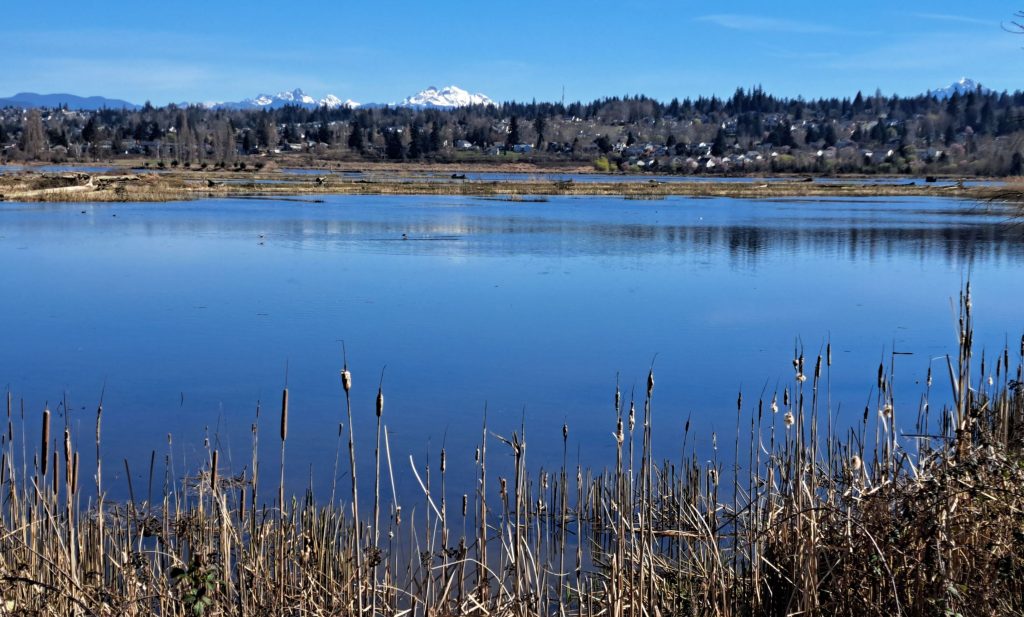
x=823 y=520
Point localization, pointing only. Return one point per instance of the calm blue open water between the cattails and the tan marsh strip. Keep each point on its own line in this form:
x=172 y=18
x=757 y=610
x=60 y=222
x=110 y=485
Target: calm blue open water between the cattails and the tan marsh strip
x=190 y=314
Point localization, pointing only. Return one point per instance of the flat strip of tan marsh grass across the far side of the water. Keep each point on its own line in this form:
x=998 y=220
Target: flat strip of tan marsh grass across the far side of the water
x=140 y=186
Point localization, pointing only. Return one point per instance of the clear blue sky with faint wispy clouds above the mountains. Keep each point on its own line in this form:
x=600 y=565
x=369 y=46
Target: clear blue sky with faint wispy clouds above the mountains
x=382 y=52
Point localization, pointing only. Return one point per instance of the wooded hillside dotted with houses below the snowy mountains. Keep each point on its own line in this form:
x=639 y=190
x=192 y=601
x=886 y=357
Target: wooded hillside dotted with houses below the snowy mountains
x=961 y=133
